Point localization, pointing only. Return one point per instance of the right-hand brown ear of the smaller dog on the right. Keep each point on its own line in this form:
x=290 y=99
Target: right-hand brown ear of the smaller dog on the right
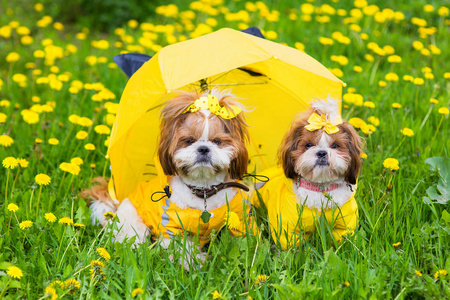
x=355 y=148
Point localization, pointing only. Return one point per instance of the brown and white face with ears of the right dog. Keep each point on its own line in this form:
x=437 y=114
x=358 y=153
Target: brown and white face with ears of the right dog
x=320 y=157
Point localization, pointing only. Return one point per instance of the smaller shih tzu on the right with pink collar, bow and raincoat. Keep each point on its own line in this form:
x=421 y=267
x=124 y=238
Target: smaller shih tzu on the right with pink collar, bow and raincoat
x=320 y=160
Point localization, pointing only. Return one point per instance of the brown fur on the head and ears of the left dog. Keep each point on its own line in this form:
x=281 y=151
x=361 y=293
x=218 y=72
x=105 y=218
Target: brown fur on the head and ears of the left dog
x=177 y=128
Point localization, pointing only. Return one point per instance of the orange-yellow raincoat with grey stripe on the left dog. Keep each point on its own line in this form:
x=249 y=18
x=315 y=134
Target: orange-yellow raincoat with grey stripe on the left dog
x=165 y=218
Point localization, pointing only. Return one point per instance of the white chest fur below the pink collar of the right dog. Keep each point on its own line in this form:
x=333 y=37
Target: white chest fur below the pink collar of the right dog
x=319 y=200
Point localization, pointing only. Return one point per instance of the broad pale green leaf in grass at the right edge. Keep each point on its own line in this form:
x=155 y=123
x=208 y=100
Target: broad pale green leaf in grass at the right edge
x=440 y=192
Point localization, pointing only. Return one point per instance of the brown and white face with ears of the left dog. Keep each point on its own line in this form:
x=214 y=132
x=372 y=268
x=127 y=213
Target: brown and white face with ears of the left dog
x=201 y=145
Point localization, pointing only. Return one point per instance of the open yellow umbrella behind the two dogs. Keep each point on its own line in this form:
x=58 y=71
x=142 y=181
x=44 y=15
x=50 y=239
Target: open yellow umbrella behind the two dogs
x=274 y=81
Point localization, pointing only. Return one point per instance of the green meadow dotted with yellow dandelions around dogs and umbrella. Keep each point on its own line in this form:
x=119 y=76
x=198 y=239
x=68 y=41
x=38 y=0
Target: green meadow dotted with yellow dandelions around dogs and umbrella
x=59 y=92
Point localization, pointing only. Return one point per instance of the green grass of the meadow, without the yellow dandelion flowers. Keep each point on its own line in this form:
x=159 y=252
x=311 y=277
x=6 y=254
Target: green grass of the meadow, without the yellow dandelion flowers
x=391 y=205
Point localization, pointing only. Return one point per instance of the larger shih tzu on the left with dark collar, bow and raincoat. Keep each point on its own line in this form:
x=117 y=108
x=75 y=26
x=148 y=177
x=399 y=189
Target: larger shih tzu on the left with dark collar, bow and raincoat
x=202 y=154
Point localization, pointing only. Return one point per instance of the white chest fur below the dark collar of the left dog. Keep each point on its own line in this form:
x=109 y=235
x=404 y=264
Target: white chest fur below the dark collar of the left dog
x=182 y=196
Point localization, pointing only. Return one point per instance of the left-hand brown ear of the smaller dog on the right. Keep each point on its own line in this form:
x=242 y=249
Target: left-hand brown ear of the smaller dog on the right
x=288 y=146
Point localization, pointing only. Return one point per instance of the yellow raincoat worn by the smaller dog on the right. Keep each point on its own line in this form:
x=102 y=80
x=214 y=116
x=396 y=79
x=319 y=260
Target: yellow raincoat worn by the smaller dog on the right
x=290 y=221
